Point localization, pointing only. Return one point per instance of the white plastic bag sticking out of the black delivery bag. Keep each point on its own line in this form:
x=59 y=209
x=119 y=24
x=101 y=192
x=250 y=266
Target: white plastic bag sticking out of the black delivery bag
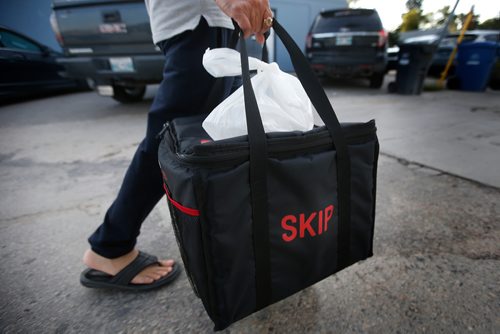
x=282 y=101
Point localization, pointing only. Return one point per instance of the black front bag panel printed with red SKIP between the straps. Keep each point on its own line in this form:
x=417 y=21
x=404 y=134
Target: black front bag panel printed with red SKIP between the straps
x=303 y=221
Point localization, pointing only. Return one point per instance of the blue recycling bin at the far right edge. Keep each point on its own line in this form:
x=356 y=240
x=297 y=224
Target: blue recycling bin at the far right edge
x=475 y=64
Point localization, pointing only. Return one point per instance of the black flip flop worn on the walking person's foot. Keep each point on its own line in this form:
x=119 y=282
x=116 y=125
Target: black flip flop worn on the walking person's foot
x=92 y=278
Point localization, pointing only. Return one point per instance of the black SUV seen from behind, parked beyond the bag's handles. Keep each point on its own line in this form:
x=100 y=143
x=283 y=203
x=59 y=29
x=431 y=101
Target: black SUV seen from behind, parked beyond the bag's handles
x=348 y=43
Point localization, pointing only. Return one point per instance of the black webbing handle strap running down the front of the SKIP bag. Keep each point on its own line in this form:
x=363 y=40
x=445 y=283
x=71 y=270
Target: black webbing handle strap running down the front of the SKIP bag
x=258 y=165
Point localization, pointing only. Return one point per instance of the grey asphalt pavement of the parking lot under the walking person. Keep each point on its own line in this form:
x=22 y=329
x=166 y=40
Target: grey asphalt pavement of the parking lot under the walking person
x=436 y=267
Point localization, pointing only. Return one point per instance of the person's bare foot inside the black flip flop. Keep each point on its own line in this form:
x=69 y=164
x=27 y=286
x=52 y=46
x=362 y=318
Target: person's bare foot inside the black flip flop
x=114 y=266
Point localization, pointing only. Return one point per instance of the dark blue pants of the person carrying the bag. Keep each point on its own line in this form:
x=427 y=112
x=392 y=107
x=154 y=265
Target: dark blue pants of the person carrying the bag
x=182 y=92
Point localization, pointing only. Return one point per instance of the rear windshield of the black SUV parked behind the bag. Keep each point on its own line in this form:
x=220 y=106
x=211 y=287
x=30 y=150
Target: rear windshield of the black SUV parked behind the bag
x=347 y=20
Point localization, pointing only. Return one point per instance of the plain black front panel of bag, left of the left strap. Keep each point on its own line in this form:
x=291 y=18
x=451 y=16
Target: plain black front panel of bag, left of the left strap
x=229 y=215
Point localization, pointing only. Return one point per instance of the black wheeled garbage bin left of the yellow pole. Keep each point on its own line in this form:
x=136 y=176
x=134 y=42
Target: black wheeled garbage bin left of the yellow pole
x=413 y=63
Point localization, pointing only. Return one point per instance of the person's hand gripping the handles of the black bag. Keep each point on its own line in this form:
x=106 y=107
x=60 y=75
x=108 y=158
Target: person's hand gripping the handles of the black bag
x=251 y=15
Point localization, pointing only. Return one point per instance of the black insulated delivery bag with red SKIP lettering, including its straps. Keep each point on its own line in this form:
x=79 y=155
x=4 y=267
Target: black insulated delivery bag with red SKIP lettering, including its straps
x=263 y=216
